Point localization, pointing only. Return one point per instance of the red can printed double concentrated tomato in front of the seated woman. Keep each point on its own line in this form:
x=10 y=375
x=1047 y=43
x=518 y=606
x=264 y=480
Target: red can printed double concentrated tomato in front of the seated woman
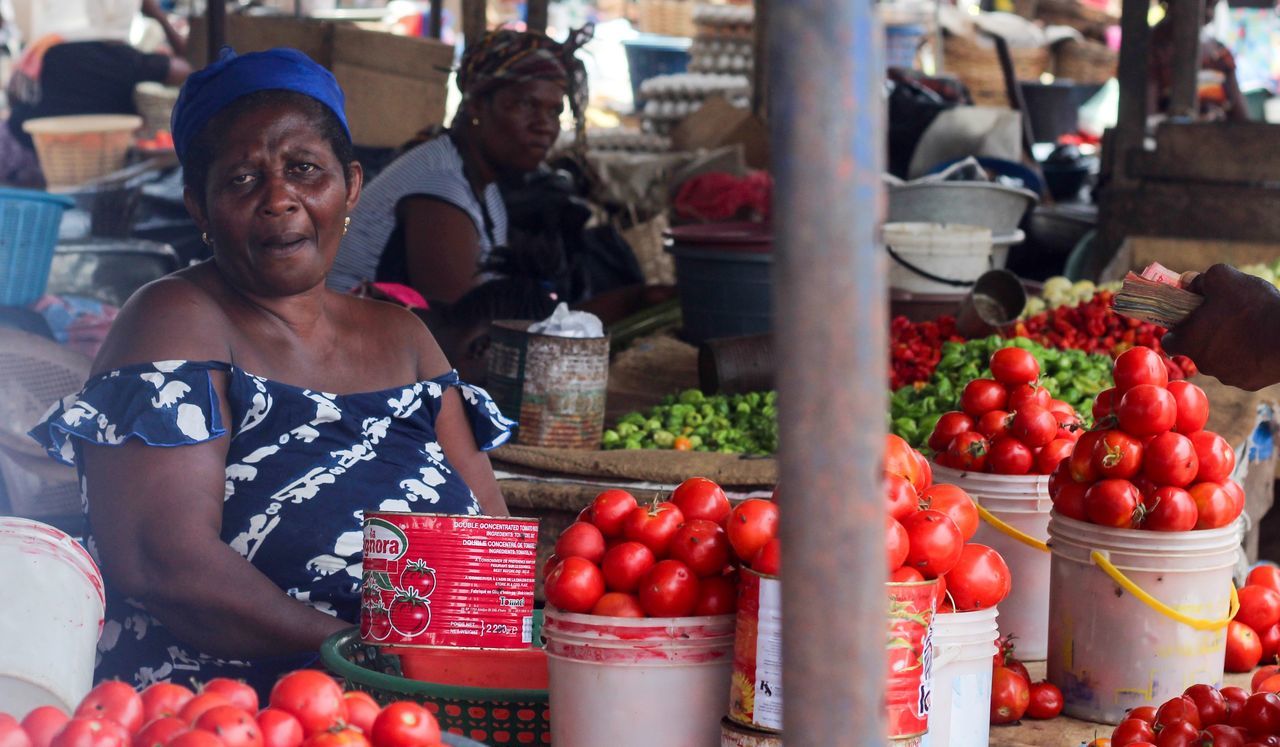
x=435 y=580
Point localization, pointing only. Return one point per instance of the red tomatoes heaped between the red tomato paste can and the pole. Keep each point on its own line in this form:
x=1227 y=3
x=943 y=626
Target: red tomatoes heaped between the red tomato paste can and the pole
x=670 y=560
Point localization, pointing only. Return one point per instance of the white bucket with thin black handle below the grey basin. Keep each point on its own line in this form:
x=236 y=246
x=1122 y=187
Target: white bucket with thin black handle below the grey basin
x=936 y=258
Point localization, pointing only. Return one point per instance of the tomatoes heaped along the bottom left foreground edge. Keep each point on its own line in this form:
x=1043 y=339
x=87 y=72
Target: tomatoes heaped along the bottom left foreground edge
x=307 y=709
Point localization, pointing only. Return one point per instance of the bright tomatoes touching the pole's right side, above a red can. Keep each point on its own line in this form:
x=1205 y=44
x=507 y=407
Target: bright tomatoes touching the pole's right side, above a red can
x=926 y=534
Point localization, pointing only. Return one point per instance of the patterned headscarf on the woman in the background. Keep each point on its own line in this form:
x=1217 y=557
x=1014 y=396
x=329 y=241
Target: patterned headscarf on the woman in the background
x=509 y=57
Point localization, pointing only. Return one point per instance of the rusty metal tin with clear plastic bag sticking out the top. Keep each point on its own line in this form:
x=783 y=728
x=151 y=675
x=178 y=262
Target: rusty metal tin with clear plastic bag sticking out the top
x=555 y=387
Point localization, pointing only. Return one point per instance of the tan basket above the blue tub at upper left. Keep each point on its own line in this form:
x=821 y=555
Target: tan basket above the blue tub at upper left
x=75 y=150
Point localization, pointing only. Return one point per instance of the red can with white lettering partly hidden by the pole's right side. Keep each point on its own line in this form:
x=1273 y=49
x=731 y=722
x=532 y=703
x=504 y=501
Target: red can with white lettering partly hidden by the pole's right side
x=911 y=659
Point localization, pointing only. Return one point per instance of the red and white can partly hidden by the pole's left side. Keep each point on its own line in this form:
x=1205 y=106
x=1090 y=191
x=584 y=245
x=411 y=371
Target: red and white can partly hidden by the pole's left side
x=756 y=695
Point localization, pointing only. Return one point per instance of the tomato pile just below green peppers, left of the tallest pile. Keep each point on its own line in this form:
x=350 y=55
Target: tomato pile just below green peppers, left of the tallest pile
x=1008 y=425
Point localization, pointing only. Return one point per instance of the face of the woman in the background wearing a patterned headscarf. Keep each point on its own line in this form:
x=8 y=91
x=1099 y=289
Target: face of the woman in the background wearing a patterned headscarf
x=519 y=125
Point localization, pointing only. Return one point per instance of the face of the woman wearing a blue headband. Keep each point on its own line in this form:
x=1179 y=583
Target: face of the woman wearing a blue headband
x=276 y=201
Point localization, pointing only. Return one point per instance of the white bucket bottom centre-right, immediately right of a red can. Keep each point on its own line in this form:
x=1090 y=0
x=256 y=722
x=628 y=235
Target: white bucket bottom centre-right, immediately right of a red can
x=963 y=649
